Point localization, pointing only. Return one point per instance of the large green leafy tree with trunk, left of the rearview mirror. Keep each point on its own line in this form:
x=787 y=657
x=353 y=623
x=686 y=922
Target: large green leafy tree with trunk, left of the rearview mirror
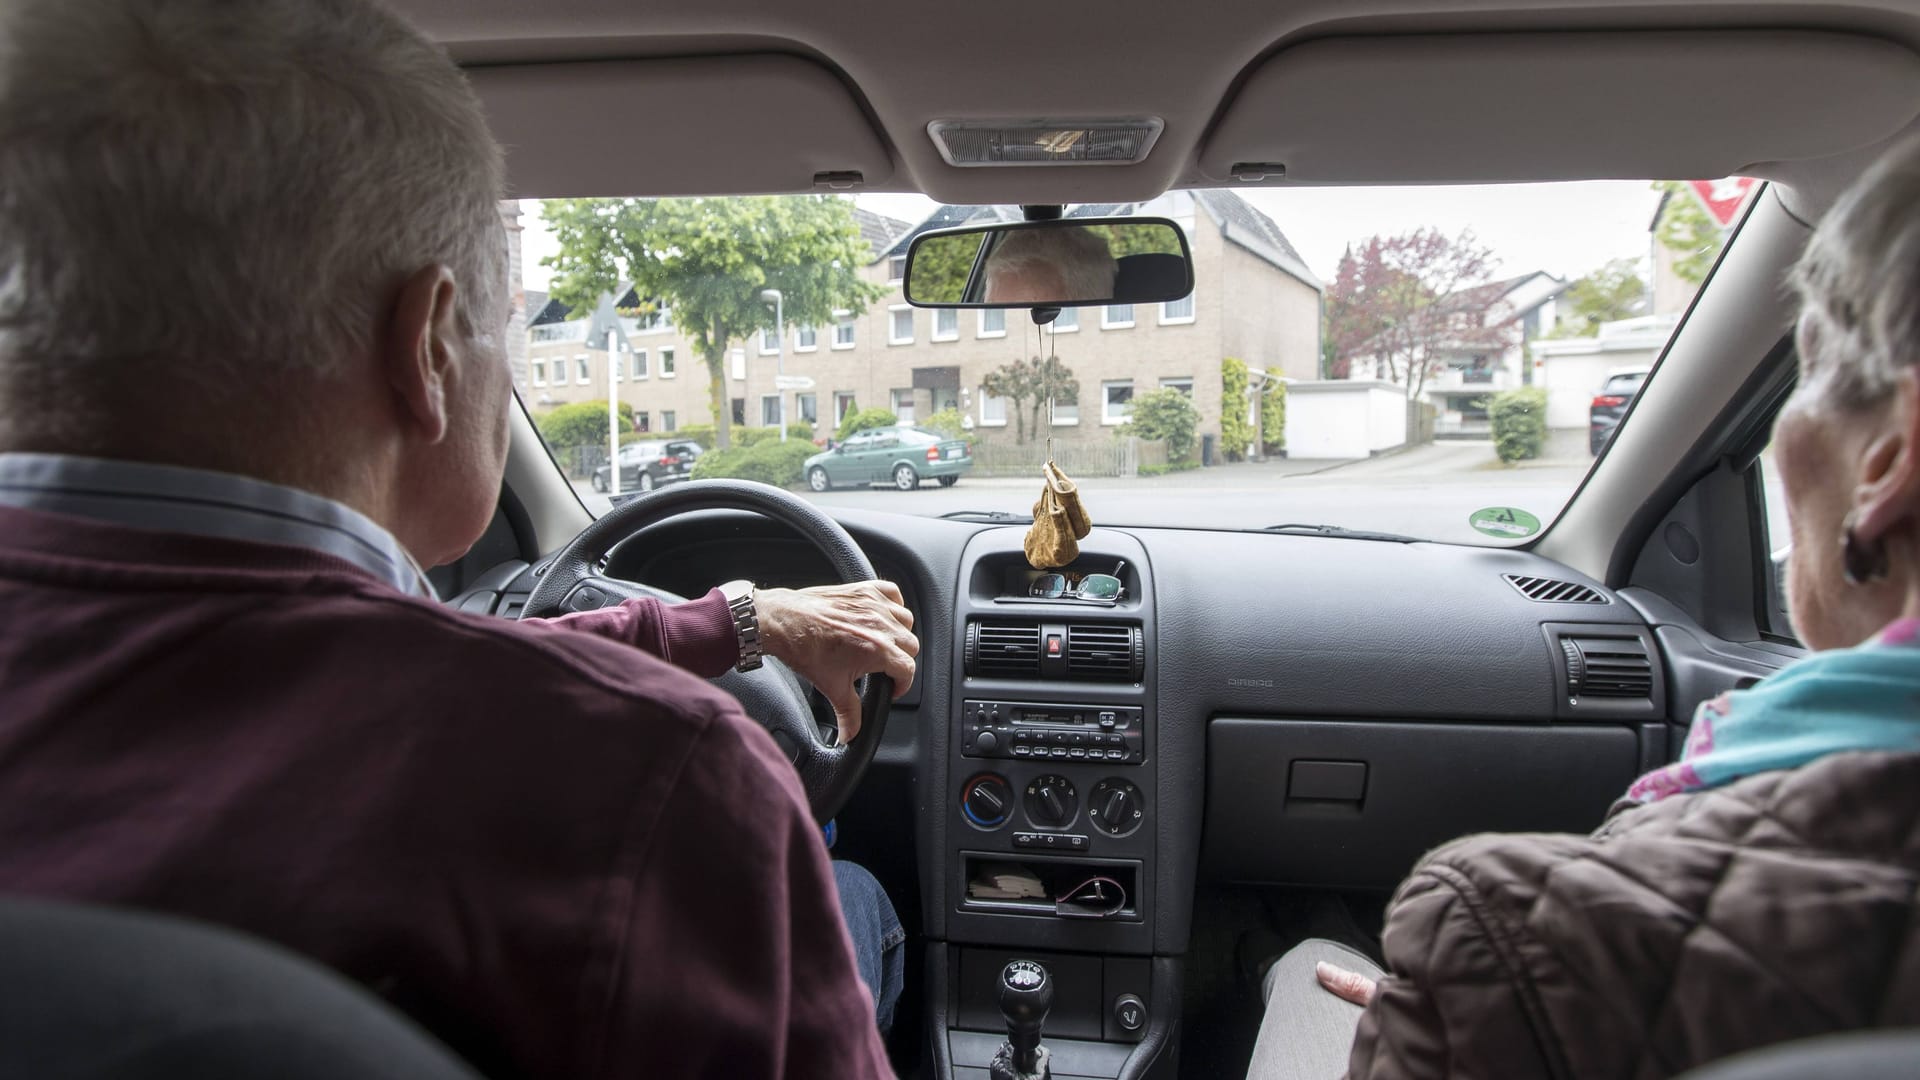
x=708 y=260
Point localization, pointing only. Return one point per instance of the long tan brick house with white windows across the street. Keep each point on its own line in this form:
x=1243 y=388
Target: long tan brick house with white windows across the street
x=1255 y=299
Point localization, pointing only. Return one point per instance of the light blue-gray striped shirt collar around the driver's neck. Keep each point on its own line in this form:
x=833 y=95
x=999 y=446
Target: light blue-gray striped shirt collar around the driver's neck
x=201 y=503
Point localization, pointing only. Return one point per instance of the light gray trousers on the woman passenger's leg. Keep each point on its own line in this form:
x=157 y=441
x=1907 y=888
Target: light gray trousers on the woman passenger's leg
x=1308 y=1033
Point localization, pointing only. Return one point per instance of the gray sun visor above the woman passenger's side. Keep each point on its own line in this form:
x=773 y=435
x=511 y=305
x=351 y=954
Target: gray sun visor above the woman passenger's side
x=1487 y=109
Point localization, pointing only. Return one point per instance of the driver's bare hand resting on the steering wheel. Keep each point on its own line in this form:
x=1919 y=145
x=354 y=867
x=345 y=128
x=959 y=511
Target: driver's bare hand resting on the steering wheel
x=834 y=635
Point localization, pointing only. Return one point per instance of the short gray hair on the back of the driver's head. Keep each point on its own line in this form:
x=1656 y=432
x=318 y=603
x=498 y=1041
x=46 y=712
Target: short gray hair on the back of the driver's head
x=229 y=185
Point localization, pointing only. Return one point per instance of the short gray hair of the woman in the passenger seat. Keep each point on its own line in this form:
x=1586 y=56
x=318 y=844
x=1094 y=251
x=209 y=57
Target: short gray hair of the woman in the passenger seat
x=1860 y=282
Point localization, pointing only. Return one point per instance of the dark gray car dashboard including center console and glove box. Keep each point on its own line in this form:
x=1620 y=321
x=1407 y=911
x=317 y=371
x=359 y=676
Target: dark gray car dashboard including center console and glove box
x=1253 y=708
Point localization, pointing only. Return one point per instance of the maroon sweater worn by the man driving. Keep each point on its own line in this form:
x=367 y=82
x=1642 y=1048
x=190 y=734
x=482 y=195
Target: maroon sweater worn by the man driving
x=560 y=854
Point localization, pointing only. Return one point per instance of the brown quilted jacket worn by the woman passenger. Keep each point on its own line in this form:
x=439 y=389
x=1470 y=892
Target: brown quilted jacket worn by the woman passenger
x=1685 y=931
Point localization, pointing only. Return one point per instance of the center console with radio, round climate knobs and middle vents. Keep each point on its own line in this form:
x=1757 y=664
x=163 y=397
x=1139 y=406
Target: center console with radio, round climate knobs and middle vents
x=1049 y=814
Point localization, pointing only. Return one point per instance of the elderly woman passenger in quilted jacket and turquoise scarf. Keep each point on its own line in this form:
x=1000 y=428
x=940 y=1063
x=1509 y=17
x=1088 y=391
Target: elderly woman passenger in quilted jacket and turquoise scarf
x=1764 y=889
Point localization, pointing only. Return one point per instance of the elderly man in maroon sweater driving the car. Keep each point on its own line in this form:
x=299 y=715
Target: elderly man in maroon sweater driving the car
x=252 y=378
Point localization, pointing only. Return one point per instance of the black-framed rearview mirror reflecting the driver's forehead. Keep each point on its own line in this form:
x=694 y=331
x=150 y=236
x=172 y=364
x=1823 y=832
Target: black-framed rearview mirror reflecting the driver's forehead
x=1051 y=264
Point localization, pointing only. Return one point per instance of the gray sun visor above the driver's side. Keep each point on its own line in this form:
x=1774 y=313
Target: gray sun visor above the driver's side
x=686 y=126
